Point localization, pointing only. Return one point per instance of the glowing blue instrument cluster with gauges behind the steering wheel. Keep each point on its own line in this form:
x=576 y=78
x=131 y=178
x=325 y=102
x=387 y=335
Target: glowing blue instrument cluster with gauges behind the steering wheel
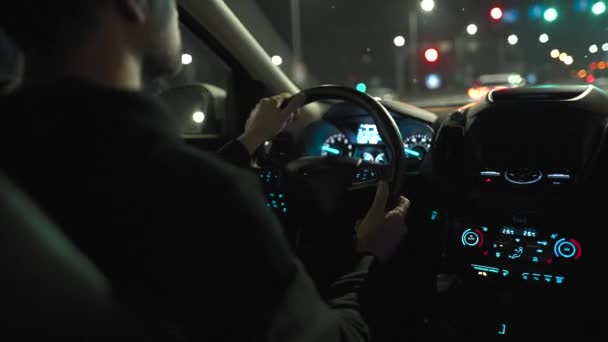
x=346 y=131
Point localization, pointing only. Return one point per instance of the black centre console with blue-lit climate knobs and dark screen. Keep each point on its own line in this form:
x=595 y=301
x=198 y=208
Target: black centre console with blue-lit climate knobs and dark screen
x=519 y=172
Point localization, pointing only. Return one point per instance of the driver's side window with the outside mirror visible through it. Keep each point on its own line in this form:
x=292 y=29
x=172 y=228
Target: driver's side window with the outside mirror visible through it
x=196 y=96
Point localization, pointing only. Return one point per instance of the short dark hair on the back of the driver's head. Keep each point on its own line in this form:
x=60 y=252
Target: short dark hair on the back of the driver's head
x=48 y=26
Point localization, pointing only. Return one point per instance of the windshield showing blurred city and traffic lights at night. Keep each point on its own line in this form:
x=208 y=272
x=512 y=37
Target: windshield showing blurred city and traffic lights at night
x=432 y=52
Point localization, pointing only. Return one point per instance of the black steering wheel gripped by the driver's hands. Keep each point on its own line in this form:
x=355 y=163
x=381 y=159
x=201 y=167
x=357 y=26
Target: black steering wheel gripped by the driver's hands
x=334 y=191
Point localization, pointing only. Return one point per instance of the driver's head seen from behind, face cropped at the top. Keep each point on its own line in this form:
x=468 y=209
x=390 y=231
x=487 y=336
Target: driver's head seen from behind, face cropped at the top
x=61 y=34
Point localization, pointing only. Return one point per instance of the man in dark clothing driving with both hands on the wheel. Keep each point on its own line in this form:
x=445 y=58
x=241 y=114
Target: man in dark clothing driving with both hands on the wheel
x=184 y=237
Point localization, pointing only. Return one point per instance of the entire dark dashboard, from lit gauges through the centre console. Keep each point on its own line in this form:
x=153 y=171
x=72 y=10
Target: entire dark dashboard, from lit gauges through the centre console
x=506 y=194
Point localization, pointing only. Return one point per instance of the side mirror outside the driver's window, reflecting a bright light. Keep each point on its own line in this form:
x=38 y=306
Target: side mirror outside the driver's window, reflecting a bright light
x=198 y=108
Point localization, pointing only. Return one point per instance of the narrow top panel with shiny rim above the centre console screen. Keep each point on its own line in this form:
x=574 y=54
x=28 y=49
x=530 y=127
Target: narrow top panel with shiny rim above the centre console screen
x=540 y=93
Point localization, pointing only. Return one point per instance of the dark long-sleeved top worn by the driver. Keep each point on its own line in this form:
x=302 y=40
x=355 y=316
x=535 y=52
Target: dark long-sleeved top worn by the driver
x=183 y=236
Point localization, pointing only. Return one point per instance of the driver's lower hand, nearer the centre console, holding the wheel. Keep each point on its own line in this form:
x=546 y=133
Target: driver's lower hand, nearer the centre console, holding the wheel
x=381 y=232
